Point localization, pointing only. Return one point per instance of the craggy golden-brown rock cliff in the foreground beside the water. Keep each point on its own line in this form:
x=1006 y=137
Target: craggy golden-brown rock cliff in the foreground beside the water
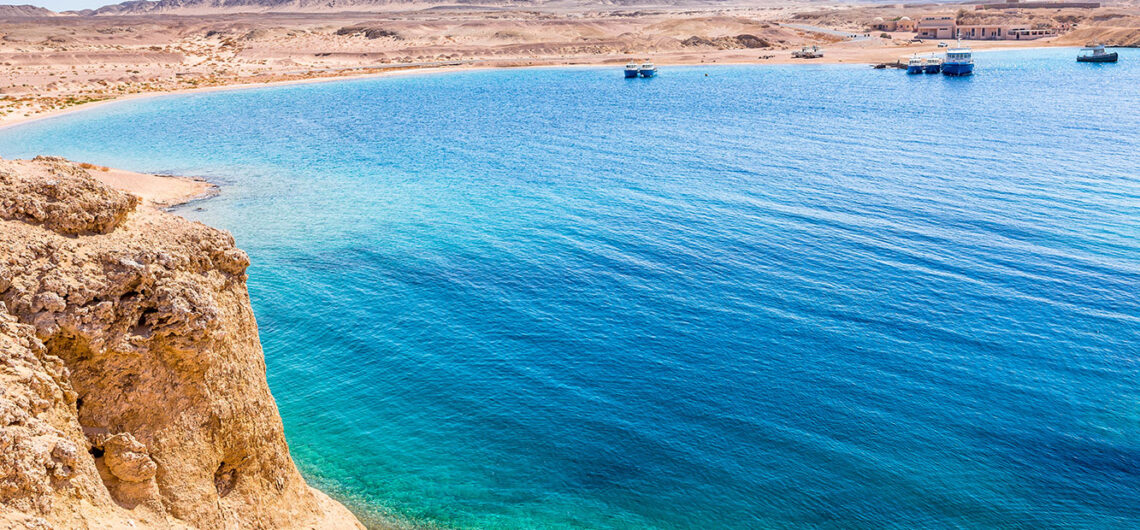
x=133 y=387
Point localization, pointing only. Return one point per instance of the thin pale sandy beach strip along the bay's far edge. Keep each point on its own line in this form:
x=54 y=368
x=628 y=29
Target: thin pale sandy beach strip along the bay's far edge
x=784 y=60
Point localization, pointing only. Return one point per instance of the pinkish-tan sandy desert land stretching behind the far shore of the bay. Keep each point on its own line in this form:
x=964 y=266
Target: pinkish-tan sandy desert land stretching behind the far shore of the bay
x=58 y=62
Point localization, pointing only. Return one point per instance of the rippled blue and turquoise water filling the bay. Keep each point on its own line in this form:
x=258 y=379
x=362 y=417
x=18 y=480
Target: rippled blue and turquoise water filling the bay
x=819 y=297
